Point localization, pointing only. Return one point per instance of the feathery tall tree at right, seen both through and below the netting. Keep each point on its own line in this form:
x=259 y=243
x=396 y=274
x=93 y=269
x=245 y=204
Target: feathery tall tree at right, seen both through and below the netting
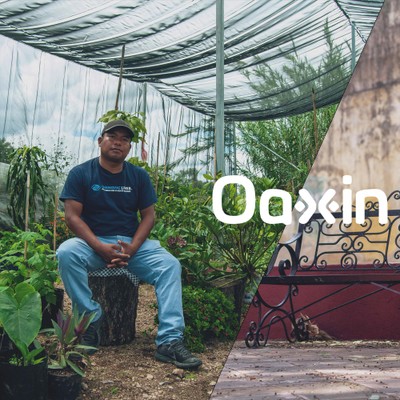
x=285 y=148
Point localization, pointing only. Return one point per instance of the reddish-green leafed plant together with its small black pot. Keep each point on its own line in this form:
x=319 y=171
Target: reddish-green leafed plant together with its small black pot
x=67 y=358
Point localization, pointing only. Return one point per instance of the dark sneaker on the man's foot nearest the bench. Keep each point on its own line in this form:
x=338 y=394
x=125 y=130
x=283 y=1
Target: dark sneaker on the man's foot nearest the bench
x=176 y=353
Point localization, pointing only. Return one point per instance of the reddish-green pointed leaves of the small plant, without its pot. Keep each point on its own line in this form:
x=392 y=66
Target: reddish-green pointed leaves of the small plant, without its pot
x=62 y=342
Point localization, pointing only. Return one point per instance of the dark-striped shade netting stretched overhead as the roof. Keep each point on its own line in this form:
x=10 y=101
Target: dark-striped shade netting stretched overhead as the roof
x=172 y=45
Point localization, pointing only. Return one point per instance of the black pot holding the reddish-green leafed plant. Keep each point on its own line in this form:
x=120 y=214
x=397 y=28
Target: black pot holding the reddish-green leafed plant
x=64 y=387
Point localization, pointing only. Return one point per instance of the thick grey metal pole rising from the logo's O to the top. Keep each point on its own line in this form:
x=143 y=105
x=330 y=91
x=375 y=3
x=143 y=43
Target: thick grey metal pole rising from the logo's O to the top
x=219 y=106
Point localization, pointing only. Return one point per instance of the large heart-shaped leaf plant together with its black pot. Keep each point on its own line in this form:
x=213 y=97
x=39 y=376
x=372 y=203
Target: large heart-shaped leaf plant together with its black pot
x=23 y=370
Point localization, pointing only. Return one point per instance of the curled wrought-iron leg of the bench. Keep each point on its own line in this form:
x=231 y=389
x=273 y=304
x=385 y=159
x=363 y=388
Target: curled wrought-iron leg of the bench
x=259 y=332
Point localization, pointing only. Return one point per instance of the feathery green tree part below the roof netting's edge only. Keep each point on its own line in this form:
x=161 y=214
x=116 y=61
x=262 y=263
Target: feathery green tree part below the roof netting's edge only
x=283 y=149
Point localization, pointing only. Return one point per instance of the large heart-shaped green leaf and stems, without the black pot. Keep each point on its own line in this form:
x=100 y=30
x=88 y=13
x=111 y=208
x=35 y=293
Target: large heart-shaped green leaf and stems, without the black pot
x=21 y=317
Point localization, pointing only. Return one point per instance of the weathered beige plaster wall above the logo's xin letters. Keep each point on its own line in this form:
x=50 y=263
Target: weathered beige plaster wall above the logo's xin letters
x=364 y=138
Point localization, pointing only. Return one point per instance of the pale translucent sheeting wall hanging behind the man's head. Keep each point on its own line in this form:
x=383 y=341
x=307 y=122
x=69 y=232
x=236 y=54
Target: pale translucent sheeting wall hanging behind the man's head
x=48 y=102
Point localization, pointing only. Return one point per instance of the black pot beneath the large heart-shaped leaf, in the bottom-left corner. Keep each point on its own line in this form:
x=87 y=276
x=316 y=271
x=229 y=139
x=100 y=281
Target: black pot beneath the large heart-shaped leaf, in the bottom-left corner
x=17 y=383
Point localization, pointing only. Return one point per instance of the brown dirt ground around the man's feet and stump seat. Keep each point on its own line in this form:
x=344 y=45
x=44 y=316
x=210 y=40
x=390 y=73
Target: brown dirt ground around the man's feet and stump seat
x=131 y=372
